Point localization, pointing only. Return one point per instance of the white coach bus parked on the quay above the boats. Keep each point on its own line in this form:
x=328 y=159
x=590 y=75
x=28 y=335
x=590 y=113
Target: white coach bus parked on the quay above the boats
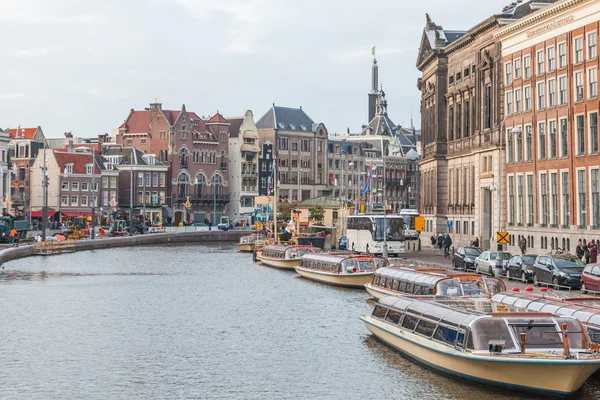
x=365 y=232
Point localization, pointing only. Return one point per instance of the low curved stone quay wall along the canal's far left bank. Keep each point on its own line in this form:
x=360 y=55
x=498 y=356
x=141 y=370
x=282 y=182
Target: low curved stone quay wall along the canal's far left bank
x=160 y=239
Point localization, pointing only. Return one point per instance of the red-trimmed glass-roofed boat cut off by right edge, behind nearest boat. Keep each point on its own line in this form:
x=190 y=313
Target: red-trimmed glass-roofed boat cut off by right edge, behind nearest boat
x=585 y=308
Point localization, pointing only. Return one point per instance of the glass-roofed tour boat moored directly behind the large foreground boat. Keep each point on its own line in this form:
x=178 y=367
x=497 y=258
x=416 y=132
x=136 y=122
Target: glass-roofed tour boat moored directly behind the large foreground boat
x=402 y=281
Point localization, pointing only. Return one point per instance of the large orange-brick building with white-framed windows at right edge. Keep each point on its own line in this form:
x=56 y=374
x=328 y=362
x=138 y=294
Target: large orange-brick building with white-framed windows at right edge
x=550 y=70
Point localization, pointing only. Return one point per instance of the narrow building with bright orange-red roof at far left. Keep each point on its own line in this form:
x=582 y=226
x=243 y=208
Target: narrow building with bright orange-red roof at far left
x=24 y=146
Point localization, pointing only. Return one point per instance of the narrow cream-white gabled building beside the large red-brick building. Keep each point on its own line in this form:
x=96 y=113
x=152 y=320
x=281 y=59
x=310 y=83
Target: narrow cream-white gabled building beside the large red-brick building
x=243 y=160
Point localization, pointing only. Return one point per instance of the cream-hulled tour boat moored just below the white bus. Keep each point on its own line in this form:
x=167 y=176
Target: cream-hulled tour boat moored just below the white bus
x=345 y=270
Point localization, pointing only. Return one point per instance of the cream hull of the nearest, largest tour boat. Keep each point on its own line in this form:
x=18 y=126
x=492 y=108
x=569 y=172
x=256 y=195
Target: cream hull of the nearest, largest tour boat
x=550 y=376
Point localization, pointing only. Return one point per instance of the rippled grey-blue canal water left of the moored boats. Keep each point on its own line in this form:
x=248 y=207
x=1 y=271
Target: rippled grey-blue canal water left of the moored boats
x=197 y=322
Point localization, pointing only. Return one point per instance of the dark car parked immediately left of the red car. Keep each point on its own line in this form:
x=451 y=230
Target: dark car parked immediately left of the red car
x=558 y=270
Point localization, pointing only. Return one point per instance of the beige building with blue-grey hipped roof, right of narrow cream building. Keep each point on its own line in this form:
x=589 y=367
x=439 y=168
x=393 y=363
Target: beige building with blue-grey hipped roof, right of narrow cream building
x=300 y=149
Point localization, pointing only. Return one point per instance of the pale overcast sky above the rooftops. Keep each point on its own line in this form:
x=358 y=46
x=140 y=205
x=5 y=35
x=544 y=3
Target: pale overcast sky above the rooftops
x=80 y=66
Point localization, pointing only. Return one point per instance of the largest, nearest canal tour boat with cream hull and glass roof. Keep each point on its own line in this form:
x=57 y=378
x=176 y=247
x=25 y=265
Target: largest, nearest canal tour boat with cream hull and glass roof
x=472 y=339
